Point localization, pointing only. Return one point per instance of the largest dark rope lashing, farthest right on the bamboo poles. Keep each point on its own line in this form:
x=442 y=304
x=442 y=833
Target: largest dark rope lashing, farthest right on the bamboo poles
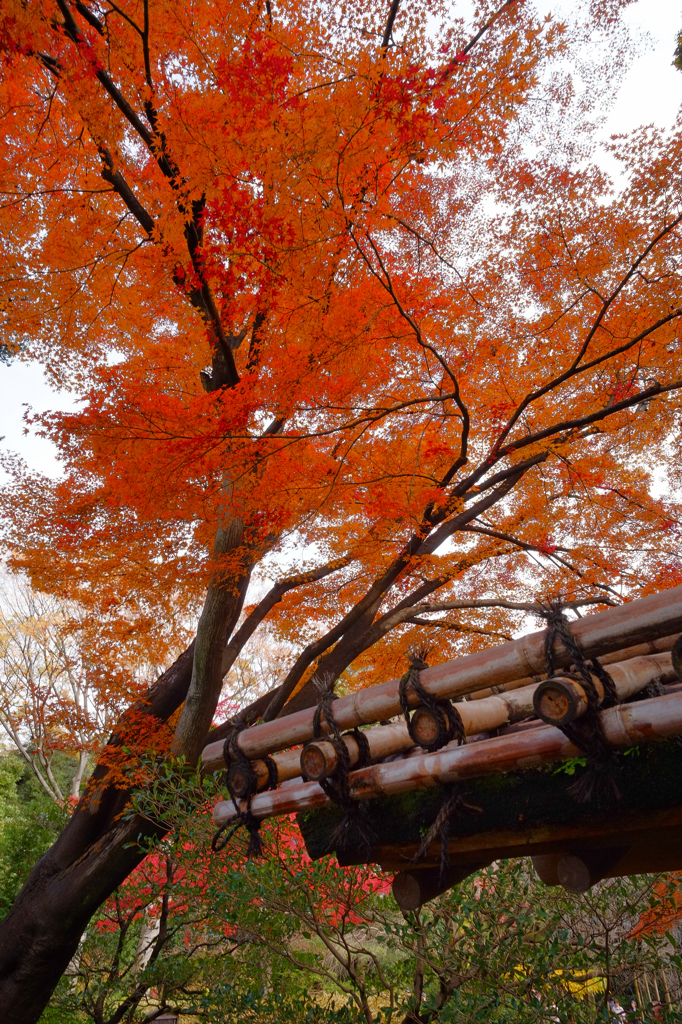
x=598 y=785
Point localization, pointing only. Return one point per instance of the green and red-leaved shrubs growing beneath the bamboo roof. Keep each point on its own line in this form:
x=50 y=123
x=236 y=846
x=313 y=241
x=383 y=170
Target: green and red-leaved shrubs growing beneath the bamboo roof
x=287 y=938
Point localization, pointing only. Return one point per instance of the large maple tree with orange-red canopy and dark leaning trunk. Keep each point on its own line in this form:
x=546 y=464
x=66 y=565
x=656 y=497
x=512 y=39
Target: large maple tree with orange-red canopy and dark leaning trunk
x=339 y=289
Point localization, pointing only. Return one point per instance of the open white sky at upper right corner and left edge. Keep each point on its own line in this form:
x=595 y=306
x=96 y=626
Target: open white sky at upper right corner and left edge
x=652 y=94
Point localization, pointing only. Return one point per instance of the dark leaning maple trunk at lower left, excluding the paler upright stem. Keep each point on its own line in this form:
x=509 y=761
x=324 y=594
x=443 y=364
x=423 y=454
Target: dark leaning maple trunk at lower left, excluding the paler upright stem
x=94 y=856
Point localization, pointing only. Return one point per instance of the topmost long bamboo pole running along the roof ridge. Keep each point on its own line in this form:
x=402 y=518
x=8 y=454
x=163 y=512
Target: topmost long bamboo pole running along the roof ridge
x=642 y=621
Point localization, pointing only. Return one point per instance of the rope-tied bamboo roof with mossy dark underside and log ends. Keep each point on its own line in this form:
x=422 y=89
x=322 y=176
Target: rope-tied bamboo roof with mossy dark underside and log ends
x=516 y=778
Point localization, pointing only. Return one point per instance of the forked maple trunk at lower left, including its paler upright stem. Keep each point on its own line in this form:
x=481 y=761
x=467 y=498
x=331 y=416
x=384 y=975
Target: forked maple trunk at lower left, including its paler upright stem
x=99 y=849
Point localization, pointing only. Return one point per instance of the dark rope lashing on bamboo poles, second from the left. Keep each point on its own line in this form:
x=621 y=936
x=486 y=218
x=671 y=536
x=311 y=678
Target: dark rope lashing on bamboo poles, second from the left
x=354 y=828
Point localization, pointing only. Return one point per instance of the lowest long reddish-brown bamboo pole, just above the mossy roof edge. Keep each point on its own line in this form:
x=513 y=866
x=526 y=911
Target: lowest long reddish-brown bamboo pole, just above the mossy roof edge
x=625 y=726
